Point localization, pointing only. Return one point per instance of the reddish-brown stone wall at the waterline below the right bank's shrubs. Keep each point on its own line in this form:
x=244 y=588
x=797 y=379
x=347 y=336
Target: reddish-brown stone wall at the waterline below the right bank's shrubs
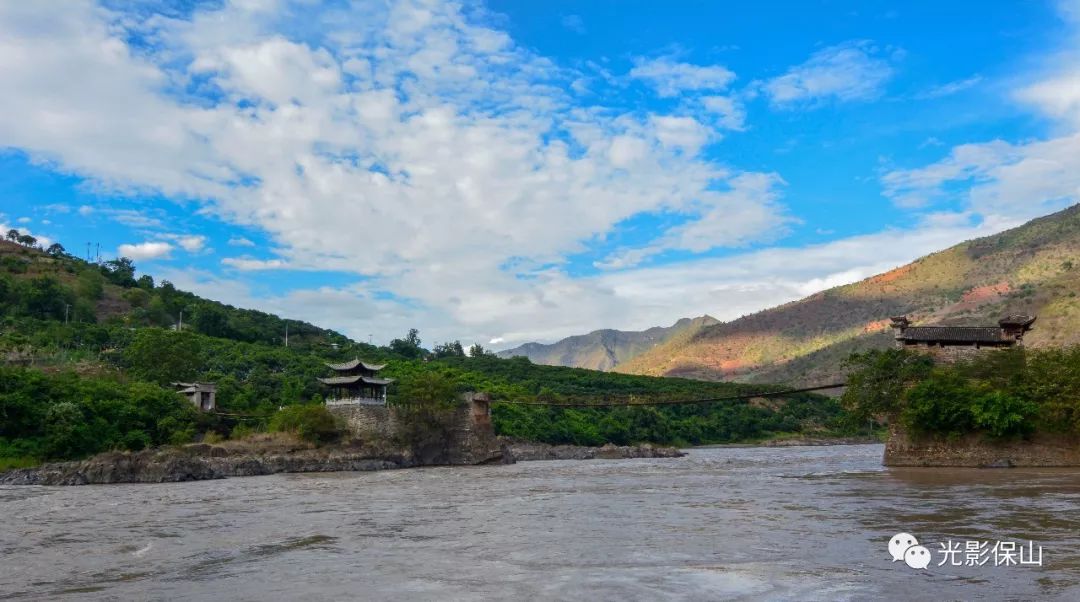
x=977 y=451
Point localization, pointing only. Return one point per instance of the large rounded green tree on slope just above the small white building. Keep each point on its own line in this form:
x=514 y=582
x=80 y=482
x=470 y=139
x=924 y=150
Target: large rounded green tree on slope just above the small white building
x=164 y=357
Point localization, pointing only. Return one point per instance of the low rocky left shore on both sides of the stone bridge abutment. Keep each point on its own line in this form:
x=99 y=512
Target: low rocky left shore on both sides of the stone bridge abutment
x=274 y=454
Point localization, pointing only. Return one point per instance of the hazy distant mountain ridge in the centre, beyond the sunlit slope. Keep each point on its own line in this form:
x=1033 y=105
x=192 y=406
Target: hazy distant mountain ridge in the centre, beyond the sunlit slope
x=605 y=350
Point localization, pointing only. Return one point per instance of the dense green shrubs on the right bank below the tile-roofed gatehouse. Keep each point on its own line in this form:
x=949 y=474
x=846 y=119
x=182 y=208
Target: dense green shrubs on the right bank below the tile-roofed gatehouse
x=1002 y=395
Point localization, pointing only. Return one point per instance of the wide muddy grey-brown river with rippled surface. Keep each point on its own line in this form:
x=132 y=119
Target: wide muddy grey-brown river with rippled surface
x=796 y=524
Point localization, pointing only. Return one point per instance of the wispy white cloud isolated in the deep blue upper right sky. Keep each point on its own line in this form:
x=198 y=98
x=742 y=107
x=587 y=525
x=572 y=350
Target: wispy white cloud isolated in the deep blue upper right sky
x=850 y=72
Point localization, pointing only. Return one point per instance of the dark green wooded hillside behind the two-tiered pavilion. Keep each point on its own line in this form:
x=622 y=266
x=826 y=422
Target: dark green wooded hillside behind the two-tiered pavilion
x=89 y=354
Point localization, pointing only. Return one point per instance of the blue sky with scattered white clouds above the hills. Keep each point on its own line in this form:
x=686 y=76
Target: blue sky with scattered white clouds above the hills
x=507 y=171
